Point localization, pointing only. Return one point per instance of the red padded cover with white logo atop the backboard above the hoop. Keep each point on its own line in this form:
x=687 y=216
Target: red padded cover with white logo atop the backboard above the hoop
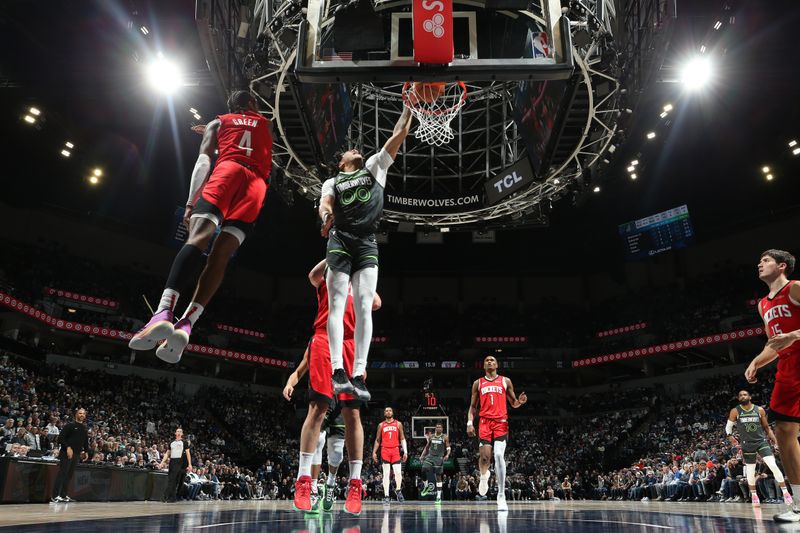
x=433 y=31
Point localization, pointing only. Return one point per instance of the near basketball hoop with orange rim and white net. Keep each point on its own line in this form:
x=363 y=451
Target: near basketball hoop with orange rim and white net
x=434 y=108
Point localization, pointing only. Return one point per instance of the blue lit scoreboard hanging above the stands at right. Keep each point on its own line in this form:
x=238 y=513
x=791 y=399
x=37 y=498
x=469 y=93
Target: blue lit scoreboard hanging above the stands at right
x=668 y=230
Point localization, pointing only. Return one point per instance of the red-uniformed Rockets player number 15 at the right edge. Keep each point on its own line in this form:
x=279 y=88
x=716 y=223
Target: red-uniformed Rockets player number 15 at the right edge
x=780 y=311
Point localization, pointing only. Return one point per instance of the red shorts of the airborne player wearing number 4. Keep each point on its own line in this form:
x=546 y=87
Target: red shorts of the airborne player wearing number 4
x=236 y=191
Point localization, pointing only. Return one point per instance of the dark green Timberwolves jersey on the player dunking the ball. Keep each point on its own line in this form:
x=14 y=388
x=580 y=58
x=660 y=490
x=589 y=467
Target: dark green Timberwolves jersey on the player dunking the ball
x=359 y=202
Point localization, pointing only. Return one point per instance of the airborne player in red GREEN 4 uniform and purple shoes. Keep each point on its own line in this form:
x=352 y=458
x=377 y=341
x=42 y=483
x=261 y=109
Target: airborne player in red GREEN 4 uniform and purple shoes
x=231 y=197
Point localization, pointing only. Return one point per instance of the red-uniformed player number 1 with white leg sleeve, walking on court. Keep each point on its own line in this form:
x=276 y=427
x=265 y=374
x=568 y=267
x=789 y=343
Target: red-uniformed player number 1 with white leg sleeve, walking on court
x=492 y=391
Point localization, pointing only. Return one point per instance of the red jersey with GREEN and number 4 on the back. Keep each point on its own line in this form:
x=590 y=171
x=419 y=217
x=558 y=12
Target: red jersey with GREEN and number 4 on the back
x=246 y=138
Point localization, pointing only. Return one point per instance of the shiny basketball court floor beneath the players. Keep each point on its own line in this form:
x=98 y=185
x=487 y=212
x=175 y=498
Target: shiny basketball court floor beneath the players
x=451 y=517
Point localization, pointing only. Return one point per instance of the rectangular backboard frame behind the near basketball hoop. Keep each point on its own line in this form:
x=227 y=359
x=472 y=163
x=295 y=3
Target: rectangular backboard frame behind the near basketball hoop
x=311 y=65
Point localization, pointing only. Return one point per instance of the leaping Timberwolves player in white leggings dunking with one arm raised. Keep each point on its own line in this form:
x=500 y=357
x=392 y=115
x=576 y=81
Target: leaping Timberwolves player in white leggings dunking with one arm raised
x=351 y=208
